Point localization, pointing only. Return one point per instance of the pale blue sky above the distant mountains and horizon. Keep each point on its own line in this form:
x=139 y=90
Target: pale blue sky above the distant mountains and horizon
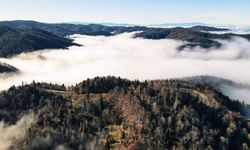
x=128 y=11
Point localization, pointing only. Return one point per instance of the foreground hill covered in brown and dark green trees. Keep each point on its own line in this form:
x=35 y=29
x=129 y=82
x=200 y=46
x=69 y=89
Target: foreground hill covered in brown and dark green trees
x=115 y=113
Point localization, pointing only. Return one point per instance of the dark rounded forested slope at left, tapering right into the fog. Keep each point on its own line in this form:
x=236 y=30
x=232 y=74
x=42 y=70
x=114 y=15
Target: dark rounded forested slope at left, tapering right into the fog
x=15 y=41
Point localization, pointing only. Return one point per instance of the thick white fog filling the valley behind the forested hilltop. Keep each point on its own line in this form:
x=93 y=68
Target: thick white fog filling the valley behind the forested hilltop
x=124 y=56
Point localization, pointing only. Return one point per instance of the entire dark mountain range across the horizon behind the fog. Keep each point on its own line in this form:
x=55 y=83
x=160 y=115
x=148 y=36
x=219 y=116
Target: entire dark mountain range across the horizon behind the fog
x=37 y=35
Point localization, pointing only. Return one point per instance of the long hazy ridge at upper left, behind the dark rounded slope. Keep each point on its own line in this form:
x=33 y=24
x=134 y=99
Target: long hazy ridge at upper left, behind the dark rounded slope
x=64 y=29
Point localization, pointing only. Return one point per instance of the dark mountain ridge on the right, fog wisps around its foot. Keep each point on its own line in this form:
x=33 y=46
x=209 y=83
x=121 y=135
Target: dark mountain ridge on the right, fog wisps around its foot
x=194 y=36
